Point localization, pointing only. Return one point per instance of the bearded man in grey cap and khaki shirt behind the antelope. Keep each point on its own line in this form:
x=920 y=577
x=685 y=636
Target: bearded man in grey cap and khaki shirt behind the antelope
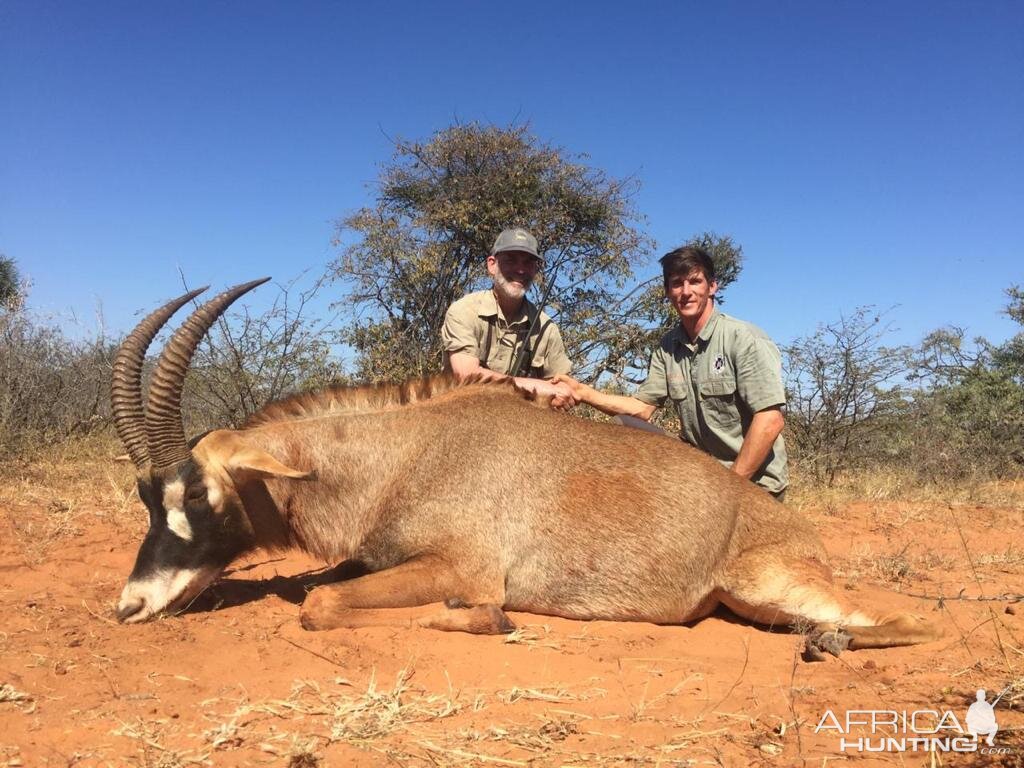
x=485 y=331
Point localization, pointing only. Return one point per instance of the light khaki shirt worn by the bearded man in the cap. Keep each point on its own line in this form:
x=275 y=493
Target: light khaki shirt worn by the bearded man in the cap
x=468 y=321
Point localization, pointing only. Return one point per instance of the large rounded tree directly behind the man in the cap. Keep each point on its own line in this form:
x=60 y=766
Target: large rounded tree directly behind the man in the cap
x=441 y=205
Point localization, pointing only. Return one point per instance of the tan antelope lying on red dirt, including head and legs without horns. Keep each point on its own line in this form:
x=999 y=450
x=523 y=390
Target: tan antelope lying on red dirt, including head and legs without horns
x=482 y=499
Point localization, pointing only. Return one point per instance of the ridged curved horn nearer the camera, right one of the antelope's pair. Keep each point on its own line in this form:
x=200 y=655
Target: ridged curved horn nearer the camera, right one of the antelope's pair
x=163 y=412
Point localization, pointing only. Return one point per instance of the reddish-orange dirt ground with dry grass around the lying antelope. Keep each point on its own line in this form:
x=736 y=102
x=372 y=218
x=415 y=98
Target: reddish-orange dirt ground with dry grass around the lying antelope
x=237 y=681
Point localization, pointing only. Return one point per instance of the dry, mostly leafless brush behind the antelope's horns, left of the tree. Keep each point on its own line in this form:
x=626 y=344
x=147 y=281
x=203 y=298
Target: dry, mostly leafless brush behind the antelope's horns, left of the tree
x=56 y=390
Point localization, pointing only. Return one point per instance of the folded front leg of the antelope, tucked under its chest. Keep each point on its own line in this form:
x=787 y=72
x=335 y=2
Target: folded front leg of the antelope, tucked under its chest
x=406 y=596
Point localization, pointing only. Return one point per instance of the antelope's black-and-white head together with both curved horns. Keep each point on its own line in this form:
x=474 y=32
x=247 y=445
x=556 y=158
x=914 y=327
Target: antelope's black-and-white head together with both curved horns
x=195 y=529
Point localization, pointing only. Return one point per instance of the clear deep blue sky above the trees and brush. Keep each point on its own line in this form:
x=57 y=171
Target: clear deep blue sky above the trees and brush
x=863 y=153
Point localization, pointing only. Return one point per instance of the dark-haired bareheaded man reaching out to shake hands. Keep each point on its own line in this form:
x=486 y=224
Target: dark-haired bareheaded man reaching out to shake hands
x=723 y=376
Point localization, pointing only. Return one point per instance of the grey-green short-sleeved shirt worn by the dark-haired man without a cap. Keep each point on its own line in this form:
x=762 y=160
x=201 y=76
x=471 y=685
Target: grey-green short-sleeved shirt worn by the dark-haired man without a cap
x=717 y=383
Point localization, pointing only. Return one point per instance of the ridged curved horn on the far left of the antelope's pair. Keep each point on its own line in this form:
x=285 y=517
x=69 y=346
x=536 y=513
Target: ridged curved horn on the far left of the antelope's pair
x=126 y=385
